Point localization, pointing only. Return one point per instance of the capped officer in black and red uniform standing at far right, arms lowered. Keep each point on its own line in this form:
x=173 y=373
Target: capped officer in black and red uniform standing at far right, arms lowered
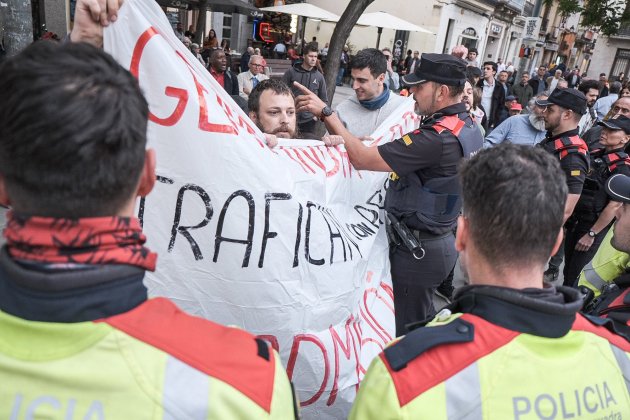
x=594 y=211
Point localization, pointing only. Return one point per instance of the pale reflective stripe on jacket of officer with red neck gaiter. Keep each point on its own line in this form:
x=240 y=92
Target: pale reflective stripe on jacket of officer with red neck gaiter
x=186 y=391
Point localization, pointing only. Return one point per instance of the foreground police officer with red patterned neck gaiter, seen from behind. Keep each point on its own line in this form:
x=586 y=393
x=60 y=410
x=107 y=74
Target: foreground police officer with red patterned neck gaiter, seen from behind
x=79 y=337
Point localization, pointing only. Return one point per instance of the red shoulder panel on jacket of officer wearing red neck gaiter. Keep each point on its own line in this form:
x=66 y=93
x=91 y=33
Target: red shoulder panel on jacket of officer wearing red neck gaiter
x=227 y=354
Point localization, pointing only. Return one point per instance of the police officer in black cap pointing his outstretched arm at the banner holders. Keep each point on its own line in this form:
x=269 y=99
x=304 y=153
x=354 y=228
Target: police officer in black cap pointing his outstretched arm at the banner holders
x=423 y=196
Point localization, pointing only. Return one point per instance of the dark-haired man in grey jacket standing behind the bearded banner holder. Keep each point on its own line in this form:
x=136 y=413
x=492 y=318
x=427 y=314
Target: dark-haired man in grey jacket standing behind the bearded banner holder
x=306 y=74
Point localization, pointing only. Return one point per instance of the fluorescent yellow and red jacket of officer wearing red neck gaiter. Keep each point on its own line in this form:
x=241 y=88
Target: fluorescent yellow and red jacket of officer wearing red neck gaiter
x=154 y=362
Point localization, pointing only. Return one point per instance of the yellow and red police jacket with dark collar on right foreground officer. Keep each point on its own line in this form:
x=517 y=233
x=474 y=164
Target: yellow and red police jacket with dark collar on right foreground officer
x=510 y=355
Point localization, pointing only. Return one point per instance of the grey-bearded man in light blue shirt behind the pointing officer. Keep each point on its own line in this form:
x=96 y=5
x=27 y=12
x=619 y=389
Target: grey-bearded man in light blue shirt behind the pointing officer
x=525 y=129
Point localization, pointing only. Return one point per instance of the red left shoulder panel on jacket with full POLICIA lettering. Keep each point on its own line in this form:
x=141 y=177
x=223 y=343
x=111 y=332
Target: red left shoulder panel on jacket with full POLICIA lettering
x=440 y=363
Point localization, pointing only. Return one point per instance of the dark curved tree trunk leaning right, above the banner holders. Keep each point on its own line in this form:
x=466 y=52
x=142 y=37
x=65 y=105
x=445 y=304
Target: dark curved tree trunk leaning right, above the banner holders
x=339 y=37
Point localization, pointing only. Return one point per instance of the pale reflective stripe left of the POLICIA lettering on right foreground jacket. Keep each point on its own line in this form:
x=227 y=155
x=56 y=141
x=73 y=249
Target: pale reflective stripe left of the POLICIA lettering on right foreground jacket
x=463 y=394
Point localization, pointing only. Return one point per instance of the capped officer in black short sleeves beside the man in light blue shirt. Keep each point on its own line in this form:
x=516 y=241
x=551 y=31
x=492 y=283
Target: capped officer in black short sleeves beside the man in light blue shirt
x=563 y=110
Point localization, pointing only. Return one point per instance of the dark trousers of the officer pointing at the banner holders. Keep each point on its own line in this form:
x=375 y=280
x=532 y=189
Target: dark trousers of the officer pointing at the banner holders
x=415 y=280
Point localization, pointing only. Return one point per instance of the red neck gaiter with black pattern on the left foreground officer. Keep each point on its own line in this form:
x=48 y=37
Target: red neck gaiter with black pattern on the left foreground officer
x=95 y=240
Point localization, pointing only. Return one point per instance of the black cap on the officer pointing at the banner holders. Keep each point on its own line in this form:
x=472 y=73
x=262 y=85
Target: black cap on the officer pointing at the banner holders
x=441 y=68
